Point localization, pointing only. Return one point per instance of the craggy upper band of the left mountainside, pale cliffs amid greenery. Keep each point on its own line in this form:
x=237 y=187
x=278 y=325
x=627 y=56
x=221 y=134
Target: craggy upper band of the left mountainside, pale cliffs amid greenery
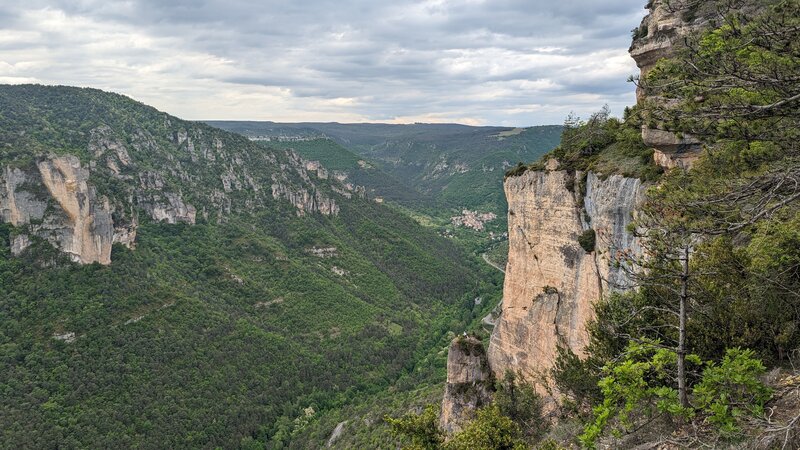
x=87 y=194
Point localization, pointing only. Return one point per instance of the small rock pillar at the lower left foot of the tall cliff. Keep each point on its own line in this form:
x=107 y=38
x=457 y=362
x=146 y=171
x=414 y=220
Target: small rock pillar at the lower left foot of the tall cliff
x=469 y=382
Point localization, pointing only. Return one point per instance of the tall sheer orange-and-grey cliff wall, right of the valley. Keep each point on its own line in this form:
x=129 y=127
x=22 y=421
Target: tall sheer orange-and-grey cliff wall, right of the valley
x=551 y=281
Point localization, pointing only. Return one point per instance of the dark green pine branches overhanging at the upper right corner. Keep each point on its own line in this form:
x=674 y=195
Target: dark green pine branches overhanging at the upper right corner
x=737 y=88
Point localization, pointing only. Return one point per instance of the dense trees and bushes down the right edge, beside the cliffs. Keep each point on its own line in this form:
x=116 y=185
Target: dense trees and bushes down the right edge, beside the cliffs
x=717 y=297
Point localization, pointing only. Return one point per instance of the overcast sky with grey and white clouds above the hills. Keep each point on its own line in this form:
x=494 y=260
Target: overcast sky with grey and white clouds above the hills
x=477 y=62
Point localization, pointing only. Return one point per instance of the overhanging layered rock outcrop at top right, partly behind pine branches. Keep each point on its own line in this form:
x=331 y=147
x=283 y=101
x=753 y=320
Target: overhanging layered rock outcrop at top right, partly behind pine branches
x=659 y=36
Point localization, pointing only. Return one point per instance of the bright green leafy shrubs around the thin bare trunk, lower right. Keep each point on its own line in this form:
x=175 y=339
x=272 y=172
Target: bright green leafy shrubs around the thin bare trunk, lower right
x=641 y=384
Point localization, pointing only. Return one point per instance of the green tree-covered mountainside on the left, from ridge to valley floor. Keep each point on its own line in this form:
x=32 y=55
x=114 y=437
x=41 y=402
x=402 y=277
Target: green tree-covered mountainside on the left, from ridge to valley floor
x=283 y=291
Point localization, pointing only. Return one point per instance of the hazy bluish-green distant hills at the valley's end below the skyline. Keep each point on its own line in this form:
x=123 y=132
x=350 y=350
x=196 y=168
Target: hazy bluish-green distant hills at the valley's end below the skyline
x=450 y=165
